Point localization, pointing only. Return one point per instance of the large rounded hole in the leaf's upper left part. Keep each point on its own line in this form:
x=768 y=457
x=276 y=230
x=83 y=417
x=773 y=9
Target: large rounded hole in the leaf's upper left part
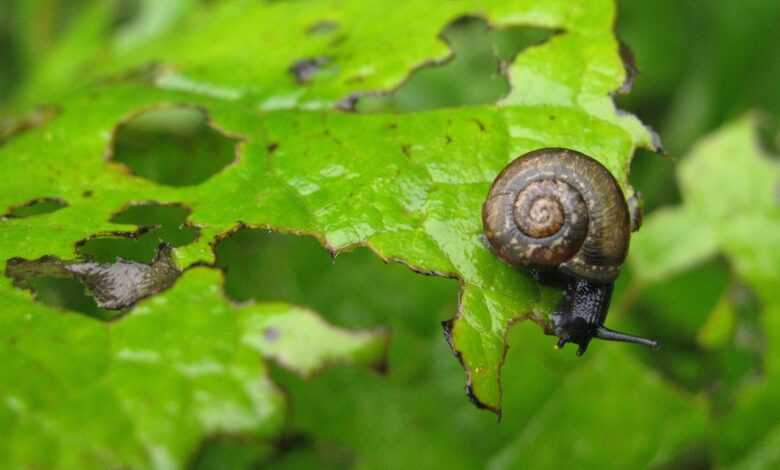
x=173 y=146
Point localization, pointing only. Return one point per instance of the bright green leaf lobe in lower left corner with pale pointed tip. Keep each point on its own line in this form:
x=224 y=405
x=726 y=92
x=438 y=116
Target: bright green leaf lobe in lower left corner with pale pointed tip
x=146 y=390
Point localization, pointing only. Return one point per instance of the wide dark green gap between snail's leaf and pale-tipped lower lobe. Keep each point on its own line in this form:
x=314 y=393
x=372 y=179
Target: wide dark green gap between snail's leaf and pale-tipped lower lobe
x=356 y=289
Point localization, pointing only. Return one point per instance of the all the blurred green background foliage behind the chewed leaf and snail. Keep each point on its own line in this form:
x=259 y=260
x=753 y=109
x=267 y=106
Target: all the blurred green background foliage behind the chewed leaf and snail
x=702 y=65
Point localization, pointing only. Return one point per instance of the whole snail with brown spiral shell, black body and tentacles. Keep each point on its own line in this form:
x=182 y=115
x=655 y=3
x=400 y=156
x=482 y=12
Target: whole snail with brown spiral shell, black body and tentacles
x=562 y=215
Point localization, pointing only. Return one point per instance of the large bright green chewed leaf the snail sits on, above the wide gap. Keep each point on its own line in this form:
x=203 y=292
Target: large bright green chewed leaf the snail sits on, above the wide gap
x=409 y=186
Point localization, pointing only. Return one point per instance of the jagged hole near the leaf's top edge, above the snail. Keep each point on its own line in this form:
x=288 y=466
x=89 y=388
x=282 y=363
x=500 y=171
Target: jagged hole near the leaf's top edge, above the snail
x=473 y=74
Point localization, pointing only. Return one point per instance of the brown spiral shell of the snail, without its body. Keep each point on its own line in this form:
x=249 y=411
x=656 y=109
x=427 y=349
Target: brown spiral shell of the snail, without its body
x=558 y=208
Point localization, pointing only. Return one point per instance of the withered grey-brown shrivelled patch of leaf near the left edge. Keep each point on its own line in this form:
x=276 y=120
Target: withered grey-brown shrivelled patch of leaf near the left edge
x=113 y=286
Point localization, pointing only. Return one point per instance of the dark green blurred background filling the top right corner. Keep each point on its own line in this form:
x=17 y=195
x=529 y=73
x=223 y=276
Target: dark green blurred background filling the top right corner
x=701 y=64
